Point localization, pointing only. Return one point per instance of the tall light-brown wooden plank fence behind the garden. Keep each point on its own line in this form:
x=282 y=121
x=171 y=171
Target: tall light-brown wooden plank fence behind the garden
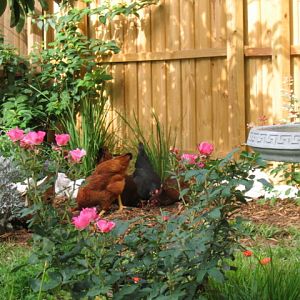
x=206 y=67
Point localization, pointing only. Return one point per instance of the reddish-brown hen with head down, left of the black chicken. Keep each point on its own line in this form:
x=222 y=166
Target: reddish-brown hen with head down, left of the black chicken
x=106 y=184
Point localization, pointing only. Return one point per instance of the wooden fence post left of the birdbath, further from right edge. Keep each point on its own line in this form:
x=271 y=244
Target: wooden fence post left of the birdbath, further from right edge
x=236 y=74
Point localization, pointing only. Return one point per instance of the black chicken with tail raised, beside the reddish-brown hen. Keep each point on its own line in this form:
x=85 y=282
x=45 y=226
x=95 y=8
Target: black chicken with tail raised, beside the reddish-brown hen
x=147 y=181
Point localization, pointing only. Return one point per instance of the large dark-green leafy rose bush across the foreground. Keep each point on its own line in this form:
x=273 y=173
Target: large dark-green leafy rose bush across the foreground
x=169 y=256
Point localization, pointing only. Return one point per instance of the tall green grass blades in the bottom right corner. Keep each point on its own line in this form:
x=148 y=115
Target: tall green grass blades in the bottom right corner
x=278 y=280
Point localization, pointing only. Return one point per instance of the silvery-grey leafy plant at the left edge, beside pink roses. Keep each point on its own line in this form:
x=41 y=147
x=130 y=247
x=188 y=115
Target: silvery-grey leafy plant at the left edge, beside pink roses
x=10 y=200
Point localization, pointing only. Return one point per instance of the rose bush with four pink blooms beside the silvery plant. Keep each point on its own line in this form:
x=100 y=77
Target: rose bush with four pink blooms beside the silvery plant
x=39 y=165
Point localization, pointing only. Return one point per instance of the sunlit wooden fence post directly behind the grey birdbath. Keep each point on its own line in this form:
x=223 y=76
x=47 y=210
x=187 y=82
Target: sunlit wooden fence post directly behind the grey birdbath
x=280 y=55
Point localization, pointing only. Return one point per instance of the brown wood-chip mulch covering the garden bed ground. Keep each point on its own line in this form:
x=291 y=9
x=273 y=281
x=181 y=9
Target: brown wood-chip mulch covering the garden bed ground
x=283 y=214
